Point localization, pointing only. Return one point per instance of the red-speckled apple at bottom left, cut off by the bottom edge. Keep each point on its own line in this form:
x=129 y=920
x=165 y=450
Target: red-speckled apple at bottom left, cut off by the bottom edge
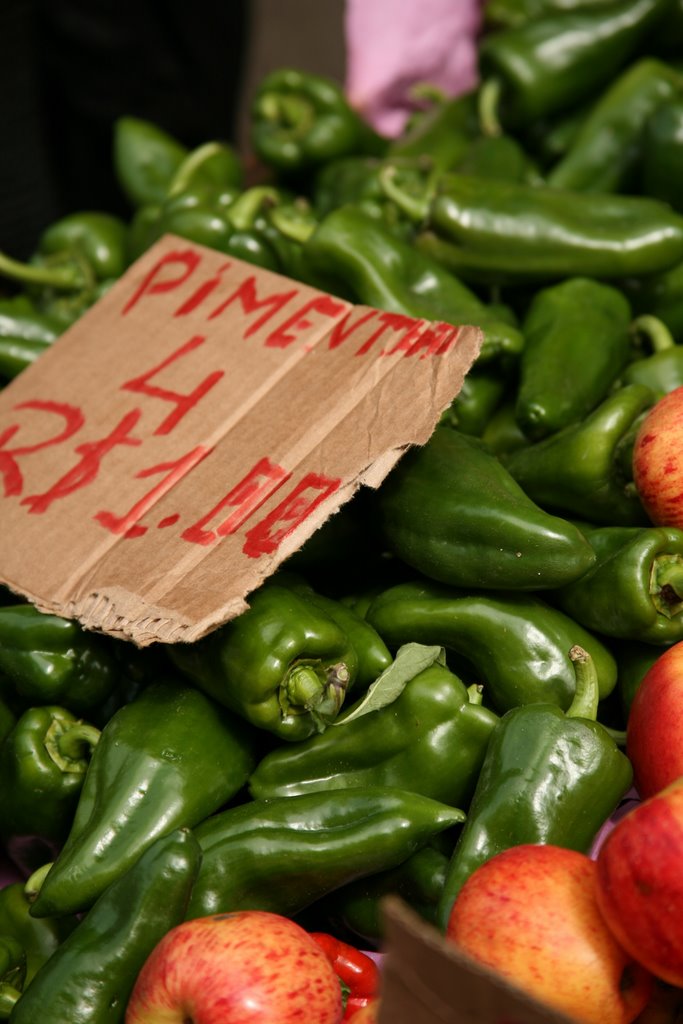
x=250 y=967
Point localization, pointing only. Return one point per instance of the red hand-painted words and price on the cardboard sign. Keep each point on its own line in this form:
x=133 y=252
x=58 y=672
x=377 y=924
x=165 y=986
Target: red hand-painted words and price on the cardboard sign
x=258 y=306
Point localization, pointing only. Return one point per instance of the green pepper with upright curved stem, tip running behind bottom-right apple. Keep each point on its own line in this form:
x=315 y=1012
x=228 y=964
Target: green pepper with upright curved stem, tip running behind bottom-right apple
x=549 y=777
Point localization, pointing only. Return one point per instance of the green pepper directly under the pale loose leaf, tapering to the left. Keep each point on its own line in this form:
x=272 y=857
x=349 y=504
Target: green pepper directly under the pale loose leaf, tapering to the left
x=432 y=741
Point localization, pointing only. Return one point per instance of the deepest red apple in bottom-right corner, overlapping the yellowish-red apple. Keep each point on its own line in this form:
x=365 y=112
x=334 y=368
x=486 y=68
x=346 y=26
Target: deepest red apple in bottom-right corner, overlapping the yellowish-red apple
x=641 y=883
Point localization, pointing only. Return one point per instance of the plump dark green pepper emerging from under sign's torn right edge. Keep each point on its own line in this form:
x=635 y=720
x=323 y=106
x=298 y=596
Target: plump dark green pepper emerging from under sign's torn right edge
x=451 y=510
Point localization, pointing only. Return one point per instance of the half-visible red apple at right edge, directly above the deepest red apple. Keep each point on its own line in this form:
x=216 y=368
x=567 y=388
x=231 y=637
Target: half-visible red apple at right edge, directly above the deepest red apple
x=655 y=729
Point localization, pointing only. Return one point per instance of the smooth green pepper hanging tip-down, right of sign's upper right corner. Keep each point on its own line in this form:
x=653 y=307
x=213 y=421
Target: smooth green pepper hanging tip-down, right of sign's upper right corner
x=577 y=343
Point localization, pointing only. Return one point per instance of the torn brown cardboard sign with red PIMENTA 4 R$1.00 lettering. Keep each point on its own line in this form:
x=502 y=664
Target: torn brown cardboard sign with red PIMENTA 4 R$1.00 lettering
x=193 y=429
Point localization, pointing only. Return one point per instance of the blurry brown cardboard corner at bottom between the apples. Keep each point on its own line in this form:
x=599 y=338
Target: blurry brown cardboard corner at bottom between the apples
x=428 y=982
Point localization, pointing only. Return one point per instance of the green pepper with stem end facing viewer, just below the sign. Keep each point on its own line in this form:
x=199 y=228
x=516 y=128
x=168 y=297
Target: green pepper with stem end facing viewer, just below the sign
x=284 y=665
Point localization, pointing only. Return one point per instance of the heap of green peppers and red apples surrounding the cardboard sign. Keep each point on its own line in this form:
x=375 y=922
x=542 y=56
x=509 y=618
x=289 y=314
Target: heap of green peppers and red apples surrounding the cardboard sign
x=482 y=657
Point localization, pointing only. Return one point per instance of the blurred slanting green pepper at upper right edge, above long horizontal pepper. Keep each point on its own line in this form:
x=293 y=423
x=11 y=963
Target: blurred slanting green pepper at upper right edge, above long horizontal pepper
x=617 y=137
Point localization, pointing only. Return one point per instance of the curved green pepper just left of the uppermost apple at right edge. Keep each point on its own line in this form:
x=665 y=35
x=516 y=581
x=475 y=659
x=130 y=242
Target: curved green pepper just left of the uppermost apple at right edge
x=585 y=470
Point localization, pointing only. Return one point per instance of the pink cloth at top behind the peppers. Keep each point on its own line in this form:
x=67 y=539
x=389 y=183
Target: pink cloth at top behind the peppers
x=392 y=46
